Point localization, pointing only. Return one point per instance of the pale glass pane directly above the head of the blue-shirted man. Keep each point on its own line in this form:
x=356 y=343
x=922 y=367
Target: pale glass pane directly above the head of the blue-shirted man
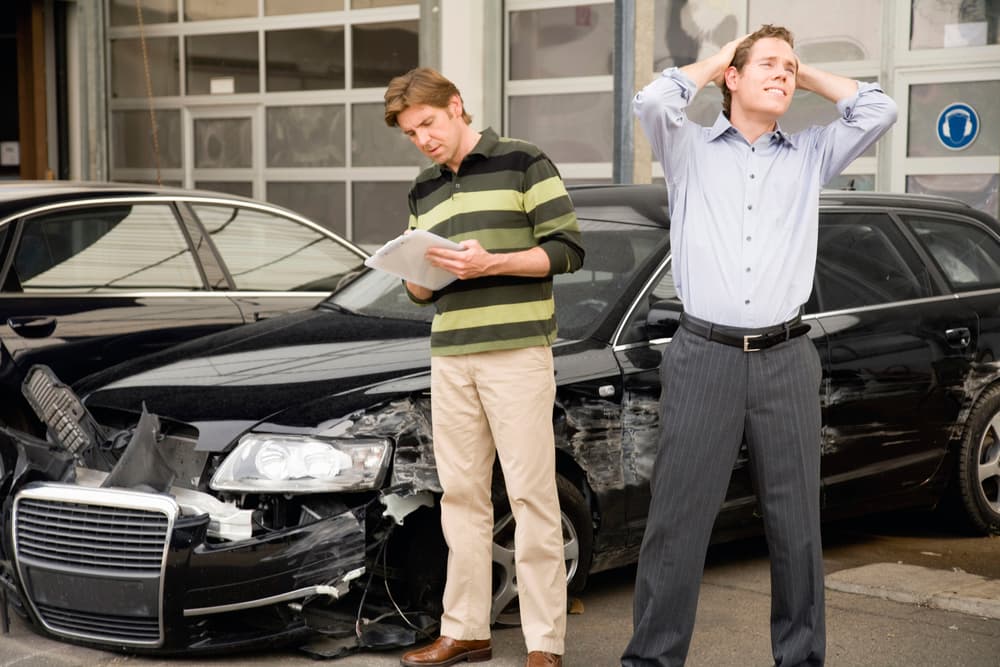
x=825 y=31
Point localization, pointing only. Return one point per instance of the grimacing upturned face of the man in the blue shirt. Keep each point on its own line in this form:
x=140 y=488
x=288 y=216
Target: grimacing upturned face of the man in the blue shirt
x=765 y=86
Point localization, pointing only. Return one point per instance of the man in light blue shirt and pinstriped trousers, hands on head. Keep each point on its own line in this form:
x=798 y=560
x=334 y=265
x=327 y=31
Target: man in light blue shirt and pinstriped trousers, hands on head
x=744 y=210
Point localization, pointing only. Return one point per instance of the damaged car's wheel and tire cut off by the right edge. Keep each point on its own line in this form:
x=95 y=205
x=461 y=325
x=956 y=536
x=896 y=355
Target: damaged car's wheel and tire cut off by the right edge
x=977 y=481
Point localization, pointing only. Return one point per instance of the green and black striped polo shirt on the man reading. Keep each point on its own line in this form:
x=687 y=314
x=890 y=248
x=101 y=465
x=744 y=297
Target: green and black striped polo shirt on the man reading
x=508 y=196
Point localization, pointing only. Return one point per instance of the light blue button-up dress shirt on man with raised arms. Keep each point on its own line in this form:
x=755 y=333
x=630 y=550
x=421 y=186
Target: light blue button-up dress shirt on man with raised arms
x=744 y=217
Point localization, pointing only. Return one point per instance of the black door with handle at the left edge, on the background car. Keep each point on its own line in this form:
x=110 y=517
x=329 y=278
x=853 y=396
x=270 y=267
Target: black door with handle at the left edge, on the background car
x=86 y=286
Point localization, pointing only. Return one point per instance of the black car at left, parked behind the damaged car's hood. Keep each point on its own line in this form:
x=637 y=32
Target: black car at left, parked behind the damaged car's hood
x=93 y=274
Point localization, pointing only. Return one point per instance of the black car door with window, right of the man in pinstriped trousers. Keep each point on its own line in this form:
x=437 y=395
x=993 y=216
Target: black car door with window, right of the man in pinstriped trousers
x=898 y=349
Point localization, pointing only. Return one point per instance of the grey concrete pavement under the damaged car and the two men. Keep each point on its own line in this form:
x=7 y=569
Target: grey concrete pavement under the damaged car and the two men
x=869 y=627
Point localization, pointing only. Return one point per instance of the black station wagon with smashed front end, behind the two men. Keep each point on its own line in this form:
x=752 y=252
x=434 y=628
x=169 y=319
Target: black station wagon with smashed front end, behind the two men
x=275 y=483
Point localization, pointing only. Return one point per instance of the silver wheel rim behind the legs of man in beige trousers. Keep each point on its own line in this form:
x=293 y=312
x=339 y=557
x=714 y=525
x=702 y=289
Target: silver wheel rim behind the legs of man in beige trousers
x=505 y=610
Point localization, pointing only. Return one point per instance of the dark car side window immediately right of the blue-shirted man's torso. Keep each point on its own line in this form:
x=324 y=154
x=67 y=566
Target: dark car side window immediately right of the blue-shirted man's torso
x=863 y=260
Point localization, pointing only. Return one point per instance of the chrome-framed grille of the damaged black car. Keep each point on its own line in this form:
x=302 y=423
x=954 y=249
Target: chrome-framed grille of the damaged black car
x=91 y=561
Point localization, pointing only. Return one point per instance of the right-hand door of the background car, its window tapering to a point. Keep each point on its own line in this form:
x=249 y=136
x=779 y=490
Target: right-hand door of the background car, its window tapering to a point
x=275 y=264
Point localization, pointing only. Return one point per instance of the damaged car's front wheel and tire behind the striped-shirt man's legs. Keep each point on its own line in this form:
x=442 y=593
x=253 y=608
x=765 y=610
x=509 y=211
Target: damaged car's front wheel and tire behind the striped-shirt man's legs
x=578 y=542
